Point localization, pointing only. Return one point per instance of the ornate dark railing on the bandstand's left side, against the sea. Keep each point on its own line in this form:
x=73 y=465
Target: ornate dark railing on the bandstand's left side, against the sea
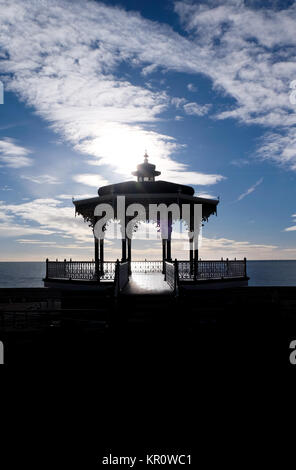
x=79 y=270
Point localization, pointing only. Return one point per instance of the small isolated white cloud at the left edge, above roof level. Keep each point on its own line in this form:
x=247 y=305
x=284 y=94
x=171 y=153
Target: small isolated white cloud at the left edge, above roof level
x=13 y=155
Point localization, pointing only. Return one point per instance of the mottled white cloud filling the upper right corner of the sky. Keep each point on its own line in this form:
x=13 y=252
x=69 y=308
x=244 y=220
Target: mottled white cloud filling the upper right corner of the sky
x=247 y=61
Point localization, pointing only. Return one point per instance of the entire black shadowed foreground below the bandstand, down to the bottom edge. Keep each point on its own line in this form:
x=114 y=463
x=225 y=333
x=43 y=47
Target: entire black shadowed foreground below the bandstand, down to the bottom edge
x=145 y=375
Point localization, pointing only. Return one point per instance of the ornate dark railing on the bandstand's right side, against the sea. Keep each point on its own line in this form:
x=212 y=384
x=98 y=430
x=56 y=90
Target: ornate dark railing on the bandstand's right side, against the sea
x=199 y=270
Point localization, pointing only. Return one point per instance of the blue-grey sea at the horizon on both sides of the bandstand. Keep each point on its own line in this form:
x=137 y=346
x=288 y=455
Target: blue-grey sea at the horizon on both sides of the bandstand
x=261 y=273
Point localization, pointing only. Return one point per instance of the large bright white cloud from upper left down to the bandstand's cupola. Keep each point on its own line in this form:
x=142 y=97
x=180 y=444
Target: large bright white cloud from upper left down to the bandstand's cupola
x=65 y=65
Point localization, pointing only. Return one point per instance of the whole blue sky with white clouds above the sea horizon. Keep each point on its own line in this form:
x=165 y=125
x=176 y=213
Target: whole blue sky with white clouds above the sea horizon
x=205 y=86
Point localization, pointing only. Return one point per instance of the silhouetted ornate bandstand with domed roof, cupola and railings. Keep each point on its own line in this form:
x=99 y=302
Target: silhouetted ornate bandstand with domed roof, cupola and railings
x=173 y=276
